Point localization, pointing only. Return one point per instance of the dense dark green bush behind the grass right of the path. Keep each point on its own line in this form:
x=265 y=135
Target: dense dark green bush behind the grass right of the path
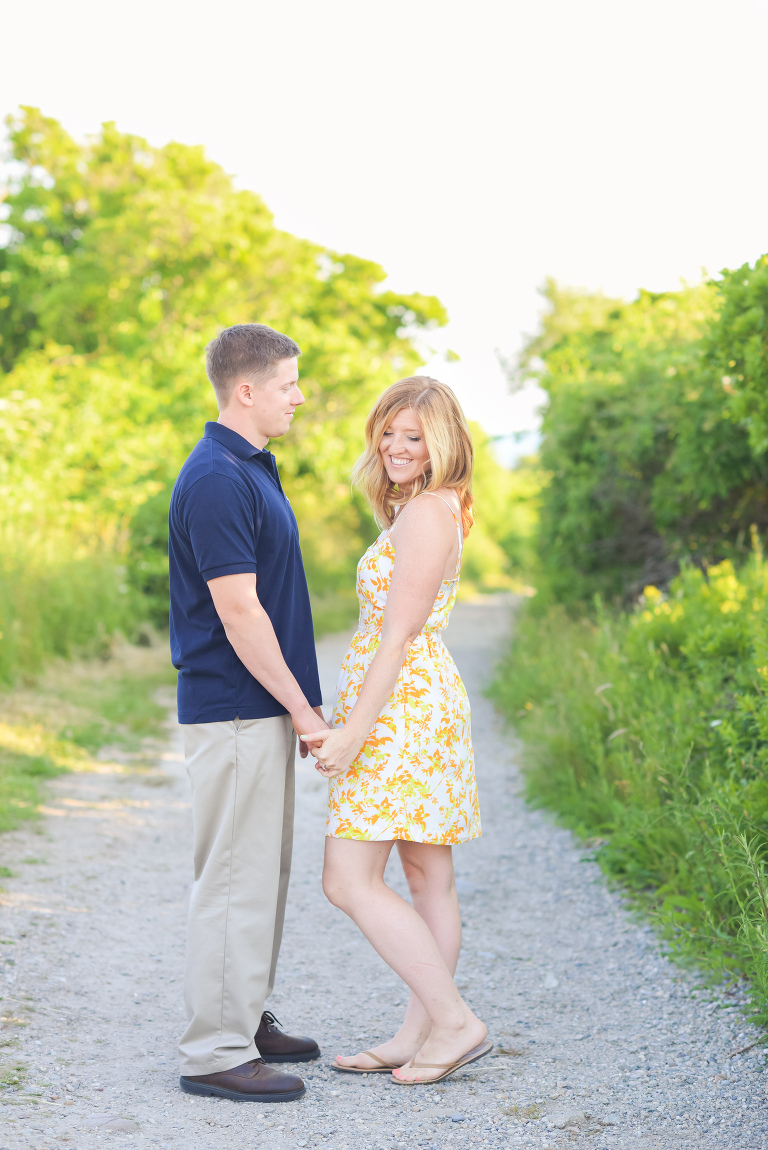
x=650 y=457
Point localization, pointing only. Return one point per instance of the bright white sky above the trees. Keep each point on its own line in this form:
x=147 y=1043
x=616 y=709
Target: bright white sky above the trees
x=471 y=149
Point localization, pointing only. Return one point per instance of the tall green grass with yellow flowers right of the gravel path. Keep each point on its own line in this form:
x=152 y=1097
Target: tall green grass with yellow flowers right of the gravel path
x=648 y=733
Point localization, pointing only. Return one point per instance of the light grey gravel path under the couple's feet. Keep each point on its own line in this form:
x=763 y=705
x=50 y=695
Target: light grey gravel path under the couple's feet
x=601 y=1041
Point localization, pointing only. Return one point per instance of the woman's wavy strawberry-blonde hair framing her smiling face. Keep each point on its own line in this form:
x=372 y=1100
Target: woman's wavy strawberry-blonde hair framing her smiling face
x=448 y=439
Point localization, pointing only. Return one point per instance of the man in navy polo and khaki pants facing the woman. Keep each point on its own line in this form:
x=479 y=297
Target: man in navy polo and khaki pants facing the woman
x=242 y=640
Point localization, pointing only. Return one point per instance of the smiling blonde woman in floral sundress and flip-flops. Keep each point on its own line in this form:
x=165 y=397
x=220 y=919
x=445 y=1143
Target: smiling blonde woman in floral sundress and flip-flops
x=401 y=758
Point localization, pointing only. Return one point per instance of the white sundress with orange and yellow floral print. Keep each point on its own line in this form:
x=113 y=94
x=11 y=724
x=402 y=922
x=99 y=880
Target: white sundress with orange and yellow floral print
x=414 y=778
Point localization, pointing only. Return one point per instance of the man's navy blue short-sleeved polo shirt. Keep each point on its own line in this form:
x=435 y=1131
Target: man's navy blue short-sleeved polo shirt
x=229 y=517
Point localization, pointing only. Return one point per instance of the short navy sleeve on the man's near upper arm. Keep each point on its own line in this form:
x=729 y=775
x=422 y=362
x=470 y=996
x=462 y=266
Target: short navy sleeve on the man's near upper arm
x=222 y=522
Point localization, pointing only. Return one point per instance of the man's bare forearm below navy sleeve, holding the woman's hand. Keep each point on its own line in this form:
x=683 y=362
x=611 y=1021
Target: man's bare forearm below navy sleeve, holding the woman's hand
x=249 y=628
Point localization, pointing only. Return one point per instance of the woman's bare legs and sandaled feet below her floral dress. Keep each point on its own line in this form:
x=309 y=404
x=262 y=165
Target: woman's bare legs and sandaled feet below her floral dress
x=439 y=1022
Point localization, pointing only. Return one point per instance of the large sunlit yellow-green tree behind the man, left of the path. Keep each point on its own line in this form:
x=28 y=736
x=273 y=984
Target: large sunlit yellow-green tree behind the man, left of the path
x=124 y=262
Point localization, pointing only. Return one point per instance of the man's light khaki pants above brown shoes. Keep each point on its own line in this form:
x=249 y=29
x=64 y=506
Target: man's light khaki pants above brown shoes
x=242 y=777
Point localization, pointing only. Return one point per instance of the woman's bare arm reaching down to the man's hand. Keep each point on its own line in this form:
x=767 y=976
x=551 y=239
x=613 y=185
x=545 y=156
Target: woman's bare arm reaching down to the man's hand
x=426 y=538
